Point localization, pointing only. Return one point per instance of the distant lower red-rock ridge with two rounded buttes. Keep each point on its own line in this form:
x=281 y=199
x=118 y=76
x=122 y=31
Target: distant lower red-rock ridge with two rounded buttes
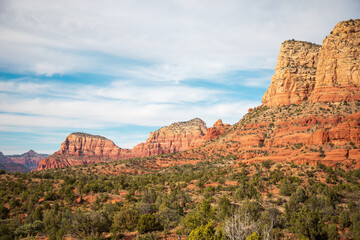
x=82 y=148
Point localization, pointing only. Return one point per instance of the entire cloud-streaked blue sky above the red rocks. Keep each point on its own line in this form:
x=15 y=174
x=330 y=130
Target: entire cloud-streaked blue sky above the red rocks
x=121 y=69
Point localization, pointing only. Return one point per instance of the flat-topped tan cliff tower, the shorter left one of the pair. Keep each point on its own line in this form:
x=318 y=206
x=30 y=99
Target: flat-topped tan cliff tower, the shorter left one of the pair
x=294 y=76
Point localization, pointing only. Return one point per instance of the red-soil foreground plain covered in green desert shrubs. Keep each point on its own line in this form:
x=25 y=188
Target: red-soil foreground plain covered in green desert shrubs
x=208 y=200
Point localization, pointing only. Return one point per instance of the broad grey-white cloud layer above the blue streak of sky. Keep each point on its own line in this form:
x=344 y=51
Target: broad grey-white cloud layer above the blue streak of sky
x=181 y=39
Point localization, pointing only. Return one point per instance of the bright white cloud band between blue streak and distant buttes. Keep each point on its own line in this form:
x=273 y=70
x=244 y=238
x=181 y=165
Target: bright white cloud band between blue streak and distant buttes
x=120 y=103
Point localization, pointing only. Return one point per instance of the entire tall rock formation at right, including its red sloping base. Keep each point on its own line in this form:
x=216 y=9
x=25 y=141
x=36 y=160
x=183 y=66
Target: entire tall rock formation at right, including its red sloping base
x=310 y=112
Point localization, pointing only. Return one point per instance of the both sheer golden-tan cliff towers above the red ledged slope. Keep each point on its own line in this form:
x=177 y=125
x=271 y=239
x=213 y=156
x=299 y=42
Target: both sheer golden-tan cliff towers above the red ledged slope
x=328 y=73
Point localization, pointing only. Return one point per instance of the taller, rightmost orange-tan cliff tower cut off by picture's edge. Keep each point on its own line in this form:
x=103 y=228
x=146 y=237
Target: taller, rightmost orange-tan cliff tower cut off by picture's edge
x=338 y=71
